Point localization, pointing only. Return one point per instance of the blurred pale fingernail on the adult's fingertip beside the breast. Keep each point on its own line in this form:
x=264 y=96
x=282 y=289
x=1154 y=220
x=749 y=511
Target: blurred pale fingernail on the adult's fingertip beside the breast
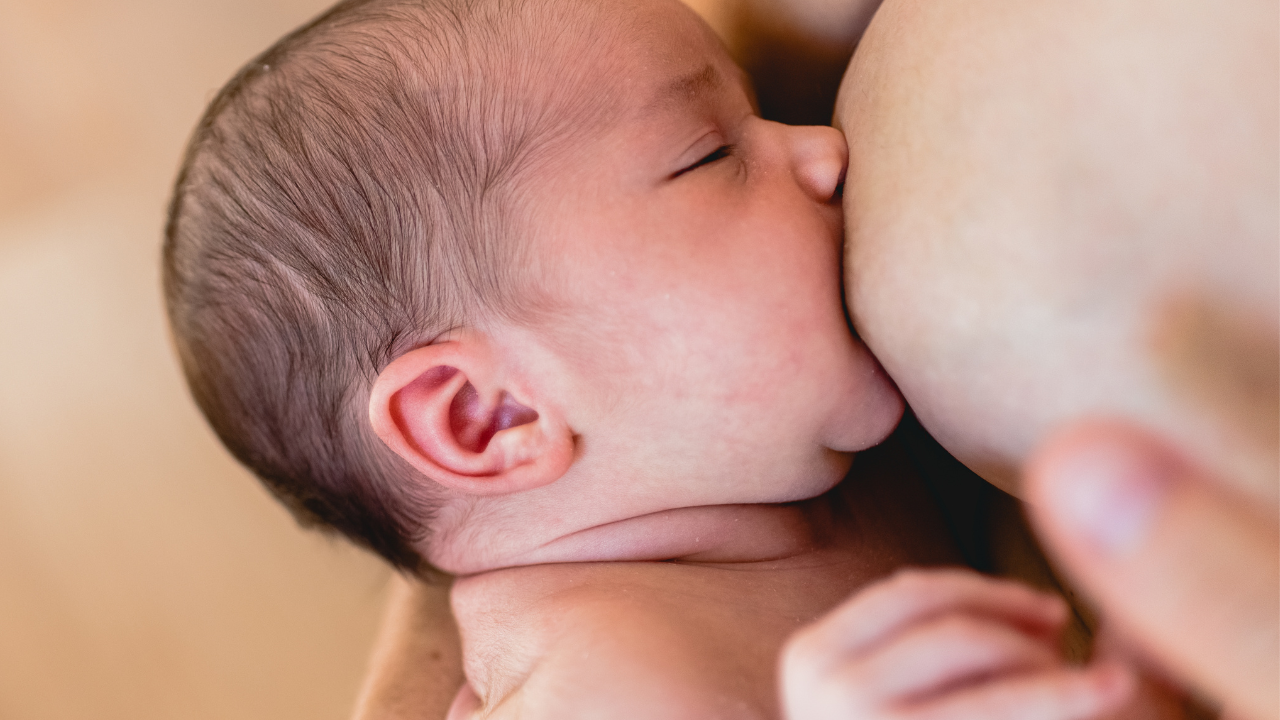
x=1109 y=494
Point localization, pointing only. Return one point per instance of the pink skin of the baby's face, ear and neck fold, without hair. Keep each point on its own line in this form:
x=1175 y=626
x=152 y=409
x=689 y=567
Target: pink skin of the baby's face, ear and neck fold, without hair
x=689 y=350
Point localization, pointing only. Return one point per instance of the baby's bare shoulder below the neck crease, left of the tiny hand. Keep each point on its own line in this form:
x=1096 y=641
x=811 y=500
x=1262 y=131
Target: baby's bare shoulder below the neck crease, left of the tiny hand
x=612 y=640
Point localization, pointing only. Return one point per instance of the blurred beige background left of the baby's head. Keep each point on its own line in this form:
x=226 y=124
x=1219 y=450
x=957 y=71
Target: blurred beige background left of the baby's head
x=143 y=573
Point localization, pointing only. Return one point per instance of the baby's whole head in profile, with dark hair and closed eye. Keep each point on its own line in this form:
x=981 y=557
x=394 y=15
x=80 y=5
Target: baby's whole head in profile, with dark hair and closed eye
x=465 y=279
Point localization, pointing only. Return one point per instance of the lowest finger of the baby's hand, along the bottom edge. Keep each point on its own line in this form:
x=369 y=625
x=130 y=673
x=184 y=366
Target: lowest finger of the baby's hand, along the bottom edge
x=1057 y=695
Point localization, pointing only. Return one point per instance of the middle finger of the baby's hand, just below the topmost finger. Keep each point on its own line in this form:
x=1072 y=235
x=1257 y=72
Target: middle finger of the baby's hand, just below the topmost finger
x=944 y=655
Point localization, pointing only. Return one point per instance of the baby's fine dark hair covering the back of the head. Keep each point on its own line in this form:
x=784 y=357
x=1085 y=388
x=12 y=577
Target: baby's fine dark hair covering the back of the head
x=351 y=195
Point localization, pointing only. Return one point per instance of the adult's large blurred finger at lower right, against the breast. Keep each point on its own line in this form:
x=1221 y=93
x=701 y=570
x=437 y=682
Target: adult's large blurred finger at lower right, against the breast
x=1188 y=571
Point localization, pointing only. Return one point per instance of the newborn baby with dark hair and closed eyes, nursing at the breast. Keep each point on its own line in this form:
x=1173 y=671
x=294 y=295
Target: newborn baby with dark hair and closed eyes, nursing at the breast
x=519 y=291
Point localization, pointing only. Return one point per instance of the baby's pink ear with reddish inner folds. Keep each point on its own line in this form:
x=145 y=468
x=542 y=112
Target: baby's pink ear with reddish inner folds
x=445 y=409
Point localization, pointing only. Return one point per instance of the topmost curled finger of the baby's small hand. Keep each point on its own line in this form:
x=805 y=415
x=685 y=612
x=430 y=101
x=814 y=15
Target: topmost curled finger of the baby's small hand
x=912 y=596
